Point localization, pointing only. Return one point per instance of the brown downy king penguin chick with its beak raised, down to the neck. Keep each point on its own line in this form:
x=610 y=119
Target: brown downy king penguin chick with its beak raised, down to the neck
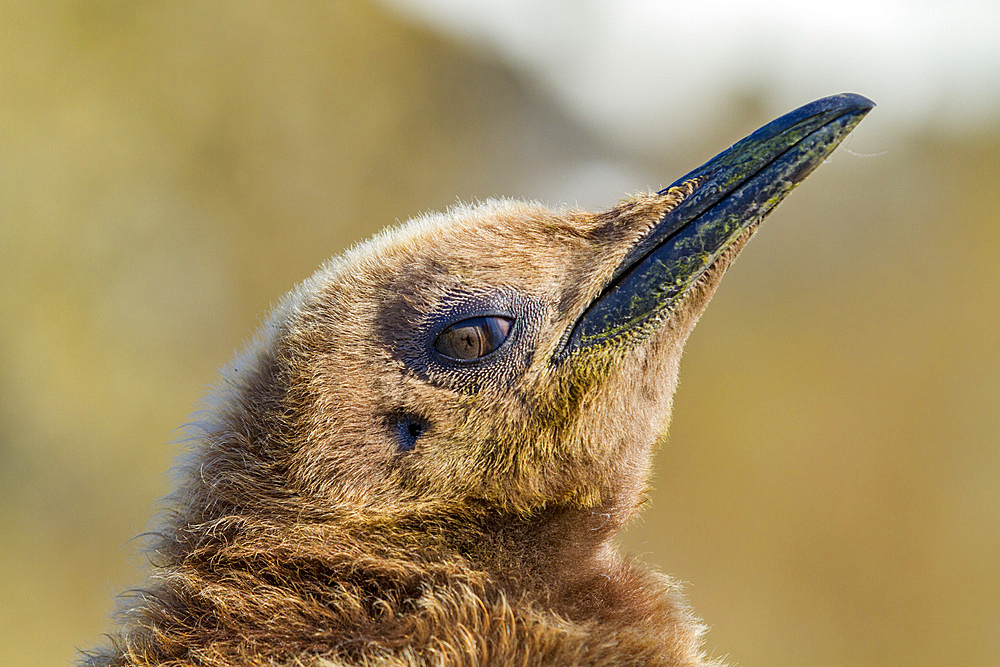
x=425 y=455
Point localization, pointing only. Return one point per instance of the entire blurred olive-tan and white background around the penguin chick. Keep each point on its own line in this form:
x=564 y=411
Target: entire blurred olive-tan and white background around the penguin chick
x=830 y=488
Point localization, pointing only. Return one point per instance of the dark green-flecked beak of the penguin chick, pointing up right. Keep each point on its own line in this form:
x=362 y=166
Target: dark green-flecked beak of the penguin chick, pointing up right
x=732 y=193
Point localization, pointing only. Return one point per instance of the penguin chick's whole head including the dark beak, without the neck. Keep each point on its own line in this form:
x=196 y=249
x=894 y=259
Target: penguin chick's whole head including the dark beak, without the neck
x=509 y=356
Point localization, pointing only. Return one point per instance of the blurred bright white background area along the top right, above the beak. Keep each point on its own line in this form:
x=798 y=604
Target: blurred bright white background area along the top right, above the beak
x=636 y=69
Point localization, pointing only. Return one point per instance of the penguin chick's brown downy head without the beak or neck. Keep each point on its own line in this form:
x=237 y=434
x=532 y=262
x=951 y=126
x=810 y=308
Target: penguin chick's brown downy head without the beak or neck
x=432 y=364
